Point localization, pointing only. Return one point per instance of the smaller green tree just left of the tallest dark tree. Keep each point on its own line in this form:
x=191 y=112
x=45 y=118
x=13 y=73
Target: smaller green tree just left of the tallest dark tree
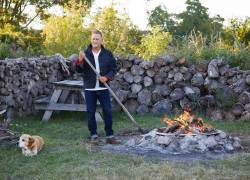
x=160 y=17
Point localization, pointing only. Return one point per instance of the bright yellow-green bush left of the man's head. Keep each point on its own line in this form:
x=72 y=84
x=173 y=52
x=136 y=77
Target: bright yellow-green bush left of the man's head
x=65 y=34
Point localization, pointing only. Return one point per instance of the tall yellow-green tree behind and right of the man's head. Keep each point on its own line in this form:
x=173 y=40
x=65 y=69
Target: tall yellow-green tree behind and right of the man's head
x=119 y=34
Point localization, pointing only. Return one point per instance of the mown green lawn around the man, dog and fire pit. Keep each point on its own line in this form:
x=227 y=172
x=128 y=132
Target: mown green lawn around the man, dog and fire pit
x=67 y=155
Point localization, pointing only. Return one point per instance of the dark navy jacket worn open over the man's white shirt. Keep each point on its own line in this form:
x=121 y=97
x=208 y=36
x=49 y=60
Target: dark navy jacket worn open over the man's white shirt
x=107 y=64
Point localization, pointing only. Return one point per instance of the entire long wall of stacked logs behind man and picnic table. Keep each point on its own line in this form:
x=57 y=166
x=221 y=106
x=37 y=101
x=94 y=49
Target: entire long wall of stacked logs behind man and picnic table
x=164 y=85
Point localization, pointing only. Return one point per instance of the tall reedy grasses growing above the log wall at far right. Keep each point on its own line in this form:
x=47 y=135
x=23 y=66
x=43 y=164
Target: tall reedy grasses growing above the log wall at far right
x=197 y=47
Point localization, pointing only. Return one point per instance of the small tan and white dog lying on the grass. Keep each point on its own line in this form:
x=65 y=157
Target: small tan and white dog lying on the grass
x=30 y=144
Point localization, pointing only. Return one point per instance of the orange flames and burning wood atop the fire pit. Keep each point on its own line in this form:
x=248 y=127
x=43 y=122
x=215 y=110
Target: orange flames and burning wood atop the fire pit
x=187 y=123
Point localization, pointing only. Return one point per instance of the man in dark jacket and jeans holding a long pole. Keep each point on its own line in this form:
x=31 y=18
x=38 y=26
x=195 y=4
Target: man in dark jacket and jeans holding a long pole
x=105 y=64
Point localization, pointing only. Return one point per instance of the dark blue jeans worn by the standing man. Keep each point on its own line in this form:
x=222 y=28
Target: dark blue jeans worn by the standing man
x=91 y=101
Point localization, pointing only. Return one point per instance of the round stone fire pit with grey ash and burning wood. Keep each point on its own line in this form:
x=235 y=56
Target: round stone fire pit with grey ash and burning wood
x=186 y=134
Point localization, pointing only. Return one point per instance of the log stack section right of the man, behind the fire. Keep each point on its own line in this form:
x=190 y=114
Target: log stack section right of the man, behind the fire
x=168 y=83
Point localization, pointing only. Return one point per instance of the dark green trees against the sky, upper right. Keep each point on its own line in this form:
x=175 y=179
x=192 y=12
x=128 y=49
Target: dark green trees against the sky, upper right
x=195 y=18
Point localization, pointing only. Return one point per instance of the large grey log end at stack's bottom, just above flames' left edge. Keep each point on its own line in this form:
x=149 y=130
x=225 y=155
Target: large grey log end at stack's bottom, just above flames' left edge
x=163 y=106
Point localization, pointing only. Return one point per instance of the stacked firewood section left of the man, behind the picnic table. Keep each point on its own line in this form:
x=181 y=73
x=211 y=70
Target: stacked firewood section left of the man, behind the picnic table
x=23 y=80
